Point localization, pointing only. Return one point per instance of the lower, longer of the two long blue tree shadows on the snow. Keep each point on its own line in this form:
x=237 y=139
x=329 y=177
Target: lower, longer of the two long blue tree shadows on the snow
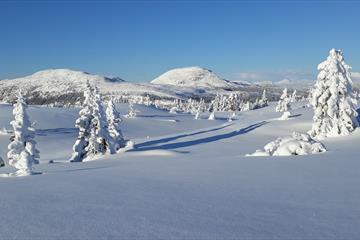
x=214 y=138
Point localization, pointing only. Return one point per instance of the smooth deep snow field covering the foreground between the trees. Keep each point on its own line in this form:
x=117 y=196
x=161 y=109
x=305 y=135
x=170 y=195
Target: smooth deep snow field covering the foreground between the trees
x=185 y=178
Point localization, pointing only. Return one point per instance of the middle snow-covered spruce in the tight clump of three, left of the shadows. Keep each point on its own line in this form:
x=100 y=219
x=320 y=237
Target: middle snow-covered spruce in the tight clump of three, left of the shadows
x=99 y=140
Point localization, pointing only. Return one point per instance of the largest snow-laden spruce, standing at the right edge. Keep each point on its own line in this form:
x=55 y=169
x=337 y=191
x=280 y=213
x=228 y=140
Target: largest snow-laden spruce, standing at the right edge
x=333 y=98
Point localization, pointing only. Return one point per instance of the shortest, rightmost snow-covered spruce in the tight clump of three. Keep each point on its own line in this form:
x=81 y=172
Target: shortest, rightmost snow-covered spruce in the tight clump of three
x=114 y=120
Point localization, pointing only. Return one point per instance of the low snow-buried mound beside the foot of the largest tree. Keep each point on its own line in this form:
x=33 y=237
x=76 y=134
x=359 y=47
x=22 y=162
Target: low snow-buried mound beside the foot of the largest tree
x=297 y=144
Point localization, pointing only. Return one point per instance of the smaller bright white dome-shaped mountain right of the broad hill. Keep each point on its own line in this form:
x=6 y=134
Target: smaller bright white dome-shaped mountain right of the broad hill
x=192 y=77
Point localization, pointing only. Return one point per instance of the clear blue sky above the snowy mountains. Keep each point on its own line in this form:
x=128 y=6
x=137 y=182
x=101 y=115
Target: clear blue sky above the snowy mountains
x=138 y=40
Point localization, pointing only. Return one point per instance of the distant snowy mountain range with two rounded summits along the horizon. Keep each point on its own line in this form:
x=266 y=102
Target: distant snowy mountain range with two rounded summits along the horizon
x=66 y=86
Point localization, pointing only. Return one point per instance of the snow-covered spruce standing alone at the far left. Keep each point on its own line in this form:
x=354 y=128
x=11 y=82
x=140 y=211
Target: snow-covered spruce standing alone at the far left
x=22 y=152
